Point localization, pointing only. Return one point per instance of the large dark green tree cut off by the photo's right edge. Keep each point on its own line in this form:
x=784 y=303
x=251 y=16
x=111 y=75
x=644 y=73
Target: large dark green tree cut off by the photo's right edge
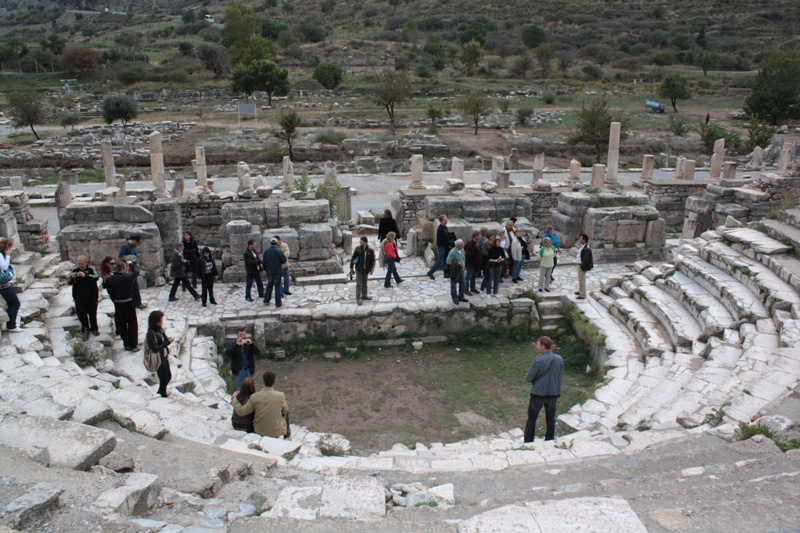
x=776 y=88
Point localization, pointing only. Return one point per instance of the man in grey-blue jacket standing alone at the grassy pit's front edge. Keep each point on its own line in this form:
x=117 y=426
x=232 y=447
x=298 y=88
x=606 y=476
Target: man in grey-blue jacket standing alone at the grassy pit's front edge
x=544 y=376
